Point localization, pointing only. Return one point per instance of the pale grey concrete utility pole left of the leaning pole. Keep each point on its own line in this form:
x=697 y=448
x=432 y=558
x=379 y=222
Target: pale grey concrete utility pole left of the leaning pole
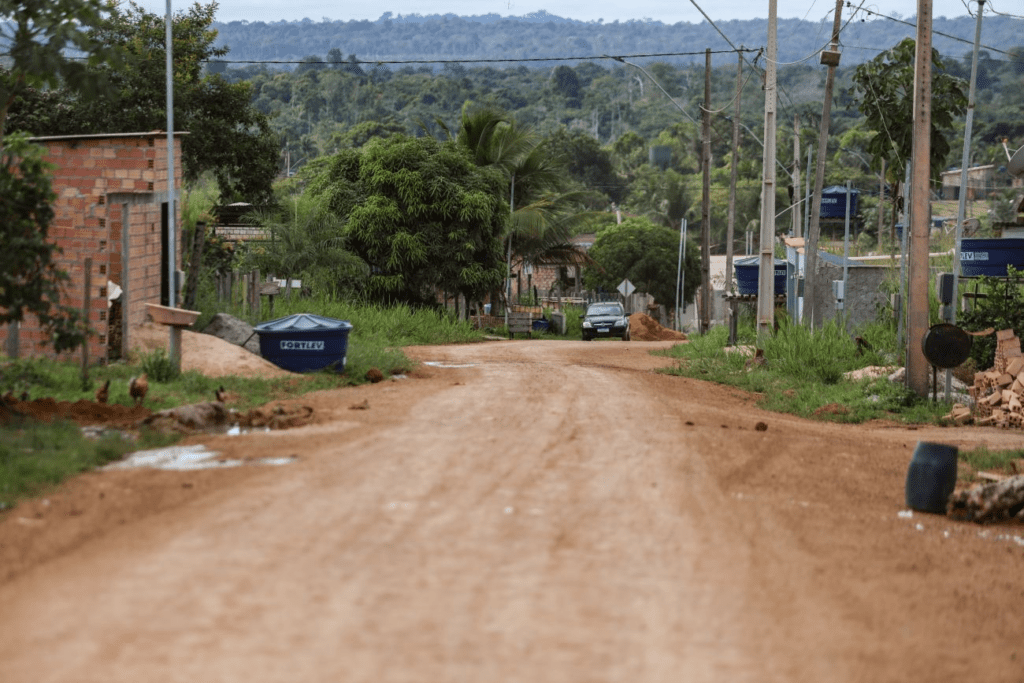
x=766 y=274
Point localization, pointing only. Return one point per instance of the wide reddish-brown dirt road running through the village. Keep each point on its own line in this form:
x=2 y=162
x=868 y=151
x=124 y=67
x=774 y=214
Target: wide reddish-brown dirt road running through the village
x=534 y=513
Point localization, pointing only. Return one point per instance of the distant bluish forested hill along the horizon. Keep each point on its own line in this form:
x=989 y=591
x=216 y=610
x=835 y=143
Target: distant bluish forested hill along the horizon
x=542 y=35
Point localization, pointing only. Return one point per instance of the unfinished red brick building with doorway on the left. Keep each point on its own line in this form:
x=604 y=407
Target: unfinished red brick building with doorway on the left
x=111 y=215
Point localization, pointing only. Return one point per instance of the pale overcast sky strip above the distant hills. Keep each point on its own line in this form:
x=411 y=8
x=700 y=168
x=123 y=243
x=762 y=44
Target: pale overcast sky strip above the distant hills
x=668 y=12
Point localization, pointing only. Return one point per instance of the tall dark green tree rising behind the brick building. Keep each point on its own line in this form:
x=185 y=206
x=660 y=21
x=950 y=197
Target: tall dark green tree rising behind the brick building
x=228 y=136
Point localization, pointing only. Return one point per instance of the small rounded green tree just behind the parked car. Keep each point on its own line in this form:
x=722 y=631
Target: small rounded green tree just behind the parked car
x=646 y=254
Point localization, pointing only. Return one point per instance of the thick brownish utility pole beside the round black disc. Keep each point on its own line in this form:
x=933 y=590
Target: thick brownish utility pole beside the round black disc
x=917 y=365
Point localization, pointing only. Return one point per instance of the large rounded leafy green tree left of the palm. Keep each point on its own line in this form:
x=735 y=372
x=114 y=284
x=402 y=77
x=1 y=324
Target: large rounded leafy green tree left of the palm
x=421 y=215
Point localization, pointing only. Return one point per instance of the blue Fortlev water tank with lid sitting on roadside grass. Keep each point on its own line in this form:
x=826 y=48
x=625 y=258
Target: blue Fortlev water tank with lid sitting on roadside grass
x=305 y=343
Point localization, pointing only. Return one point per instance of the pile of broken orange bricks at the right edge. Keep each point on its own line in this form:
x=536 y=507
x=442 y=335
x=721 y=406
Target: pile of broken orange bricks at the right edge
x=999 y=393
